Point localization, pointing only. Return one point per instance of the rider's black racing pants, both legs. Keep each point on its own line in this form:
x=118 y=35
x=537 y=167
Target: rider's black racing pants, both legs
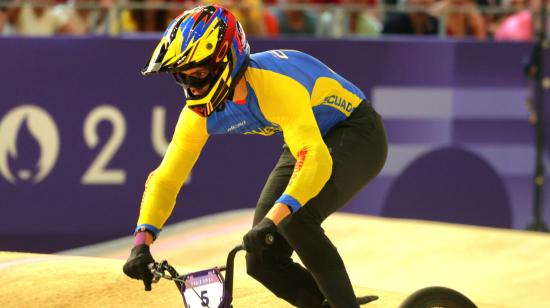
x=358 y=147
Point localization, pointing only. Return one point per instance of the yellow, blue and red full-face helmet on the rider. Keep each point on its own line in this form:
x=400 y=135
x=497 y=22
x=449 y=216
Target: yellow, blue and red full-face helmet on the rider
x=207 y=36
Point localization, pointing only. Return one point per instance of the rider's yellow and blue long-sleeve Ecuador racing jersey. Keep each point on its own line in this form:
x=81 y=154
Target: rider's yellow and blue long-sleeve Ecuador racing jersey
x=289 y=93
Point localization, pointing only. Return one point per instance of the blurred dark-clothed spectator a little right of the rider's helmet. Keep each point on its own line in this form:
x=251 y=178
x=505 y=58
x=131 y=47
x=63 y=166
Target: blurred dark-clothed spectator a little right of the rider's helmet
x=296 y=21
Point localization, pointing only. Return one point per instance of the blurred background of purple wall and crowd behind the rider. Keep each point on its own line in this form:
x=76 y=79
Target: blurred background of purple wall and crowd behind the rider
x=460 y=84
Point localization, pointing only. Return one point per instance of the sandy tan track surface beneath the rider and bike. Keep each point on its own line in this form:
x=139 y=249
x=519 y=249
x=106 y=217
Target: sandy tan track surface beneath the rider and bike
x=387 y=257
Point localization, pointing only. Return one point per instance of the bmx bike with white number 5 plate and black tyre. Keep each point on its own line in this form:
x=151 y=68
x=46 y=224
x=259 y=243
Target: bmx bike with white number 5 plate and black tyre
x=210 y=288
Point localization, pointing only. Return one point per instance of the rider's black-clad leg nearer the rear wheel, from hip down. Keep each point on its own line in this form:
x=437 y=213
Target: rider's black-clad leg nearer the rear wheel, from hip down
x=358 y=148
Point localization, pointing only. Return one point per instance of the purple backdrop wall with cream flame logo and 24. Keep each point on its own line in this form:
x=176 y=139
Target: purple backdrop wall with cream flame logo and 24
x=80 y=129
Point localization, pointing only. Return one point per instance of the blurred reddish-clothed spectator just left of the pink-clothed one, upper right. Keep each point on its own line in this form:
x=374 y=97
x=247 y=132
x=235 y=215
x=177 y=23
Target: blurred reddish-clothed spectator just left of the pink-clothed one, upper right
x=463 y=18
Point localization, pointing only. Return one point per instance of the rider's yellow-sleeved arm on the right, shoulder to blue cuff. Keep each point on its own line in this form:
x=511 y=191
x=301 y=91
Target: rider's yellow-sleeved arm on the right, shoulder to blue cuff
x=287 y=103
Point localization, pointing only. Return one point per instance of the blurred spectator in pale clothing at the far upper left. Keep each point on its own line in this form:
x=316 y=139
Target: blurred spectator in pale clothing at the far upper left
x=36 y=18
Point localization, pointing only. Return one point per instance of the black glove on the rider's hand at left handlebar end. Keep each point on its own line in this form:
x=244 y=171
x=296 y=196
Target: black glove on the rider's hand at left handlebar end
x=137 y=265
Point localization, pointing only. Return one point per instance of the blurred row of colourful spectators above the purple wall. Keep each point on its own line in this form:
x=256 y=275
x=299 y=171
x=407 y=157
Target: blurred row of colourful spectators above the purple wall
x=481 y=19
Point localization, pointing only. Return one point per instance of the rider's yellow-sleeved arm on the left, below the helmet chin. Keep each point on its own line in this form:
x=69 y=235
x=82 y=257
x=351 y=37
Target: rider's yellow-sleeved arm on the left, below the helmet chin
x=165 y=181
